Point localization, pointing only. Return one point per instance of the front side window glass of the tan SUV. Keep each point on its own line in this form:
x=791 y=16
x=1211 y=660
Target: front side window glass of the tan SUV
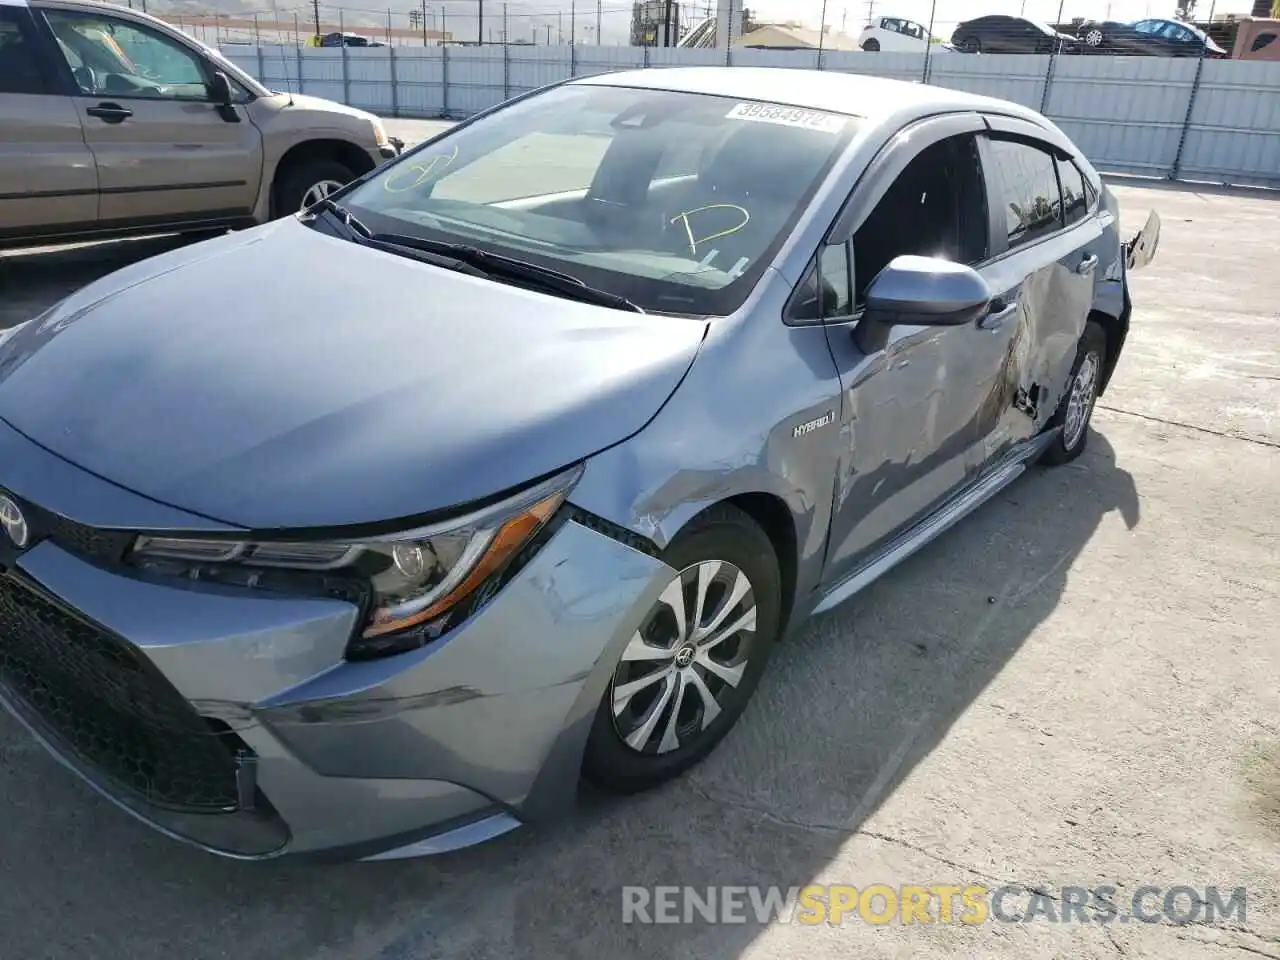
x=112 y=58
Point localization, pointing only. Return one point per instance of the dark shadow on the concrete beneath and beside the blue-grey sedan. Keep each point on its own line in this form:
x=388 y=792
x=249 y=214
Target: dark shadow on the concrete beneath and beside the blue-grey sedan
x=849 y=708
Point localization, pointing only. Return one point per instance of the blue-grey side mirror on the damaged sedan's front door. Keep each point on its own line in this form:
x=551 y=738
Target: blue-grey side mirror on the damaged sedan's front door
x=927 y=292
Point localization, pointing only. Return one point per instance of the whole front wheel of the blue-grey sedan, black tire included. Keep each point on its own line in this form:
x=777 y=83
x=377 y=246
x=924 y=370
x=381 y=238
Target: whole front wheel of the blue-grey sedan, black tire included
x=676 y=742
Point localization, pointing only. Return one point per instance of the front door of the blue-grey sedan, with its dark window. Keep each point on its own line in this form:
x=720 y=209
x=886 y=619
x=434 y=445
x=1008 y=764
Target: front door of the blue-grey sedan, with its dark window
x=911 y=394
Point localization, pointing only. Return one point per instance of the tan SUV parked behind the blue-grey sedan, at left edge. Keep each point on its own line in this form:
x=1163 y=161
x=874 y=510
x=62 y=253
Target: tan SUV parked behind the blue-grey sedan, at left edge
x=115 y=124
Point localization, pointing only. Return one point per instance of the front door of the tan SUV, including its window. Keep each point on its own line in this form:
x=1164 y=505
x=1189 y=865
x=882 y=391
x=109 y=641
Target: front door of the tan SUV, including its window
x=164 y=152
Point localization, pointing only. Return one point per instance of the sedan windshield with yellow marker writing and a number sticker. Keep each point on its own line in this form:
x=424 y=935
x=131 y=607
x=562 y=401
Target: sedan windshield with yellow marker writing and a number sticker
x=674 y=202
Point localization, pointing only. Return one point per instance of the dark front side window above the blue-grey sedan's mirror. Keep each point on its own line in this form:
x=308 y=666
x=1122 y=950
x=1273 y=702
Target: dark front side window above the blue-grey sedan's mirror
x=938 y=208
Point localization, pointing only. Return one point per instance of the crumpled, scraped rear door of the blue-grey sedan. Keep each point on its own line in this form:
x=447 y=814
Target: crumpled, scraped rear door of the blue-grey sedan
x=1048 y=252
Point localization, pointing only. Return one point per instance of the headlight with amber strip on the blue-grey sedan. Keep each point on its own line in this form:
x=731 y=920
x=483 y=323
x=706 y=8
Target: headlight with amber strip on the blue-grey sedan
x=417 y=580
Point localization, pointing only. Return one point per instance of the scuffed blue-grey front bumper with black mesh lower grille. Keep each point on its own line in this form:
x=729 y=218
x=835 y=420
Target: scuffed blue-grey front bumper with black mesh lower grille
x=230 y=720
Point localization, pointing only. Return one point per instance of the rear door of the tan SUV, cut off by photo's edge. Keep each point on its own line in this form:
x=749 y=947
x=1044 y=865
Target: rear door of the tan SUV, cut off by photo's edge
x=48 y=180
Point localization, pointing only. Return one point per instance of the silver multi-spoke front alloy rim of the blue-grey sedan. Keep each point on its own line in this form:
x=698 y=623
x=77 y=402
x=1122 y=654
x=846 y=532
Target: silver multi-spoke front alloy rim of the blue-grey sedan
x=685 y=664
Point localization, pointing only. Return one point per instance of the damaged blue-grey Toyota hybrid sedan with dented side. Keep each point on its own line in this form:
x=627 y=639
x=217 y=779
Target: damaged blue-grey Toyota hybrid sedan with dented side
x=380 y=529
